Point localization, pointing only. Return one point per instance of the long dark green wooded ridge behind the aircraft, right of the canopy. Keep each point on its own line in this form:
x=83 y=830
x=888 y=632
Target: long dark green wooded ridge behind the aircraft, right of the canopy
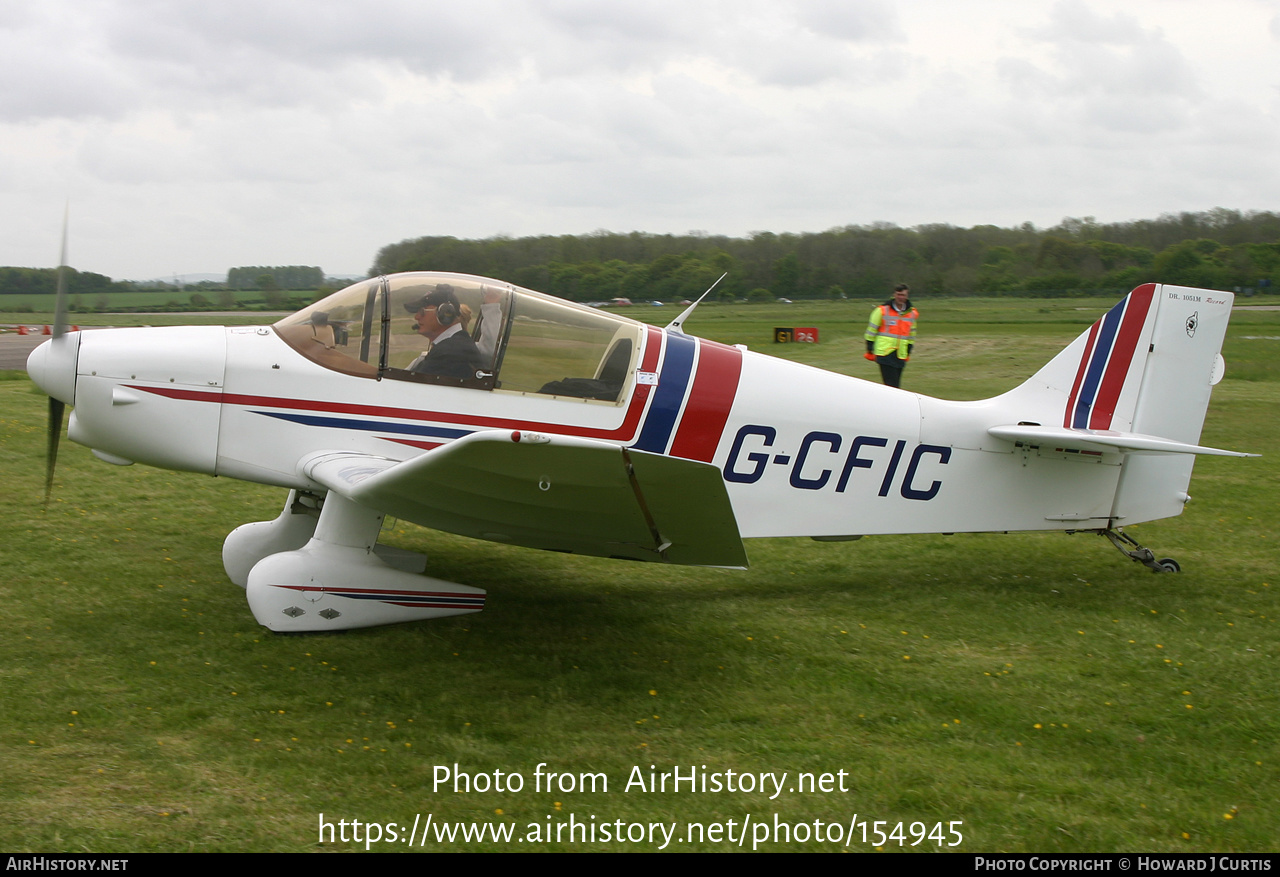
x=1217 y=249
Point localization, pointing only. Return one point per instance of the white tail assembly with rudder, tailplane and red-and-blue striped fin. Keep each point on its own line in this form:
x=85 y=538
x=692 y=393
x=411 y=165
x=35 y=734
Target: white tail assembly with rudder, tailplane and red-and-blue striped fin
x=1140 y=382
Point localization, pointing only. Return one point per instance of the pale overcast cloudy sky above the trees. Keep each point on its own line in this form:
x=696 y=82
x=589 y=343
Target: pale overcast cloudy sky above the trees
x=193 y=136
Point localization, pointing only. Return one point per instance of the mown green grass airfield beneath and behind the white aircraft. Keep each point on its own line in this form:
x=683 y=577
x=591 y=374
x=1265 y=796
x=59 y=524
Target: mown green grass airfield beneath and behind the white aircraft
x=1041 y=689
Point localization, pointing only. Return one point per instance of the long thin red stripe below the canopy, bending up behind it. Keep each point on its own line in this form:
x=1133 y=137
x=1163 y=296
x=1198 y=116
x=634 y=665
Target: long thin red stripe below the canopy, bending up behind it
x=624 y=433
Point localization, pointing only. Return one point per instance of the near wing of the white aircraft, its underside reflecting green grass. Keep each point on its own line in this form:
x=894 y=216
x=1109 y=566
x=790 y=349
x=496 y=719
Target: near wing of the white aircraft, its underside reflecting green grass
x=552 y=492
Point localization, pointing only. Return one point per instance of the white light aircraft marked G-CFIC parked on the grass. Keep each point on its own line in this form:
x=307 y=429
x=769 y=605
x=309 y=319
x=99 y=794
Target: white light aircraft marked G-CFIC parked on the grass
x=537 y=422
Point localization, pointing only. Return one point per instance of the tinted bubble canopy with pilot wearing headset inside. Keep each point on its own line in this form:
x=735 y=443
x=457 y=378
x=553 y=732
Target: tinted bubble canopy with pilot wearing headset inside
x=461 y=331
